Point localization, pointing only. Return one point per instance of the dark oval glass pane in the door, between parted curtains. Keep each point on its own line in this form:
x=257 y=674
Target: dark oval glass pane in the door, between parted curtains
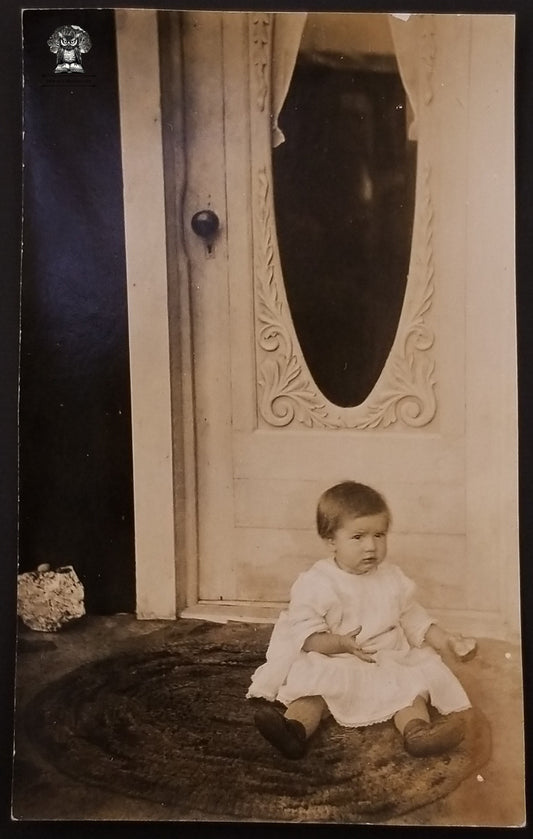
x=344 y=187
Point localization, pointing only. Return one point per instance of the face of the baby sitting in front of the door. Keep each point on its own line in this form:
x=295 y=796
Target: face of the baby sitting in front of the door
x=360 y=544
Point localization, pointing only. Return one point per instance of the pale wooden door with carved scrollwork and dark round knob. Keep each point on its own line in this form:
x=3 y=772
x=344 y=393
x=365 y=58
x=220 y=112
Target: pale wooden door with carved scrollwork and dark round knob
x=431 y=433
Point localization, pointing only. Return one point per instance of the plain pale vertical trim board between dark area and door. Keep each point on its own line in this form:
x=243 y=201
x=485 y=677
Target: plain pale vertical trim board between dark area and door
x=147 y=277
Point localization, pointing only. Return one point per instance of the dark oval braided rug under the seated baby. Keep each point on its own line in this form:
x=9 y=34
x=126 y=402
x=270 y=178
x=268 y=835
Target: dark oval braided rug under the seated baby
x=171 y=724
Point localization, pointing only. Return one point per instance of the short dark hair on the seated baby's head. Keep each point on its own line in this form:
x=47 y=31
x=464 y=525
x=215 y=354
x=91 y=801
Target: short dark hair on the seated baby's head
x=347 y=499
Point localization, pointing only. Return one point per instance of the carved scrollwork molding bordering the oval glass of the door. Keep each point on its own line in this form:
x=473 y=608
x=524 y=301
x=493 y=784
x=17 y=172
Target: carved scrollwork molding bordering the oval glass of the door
x=287 y=394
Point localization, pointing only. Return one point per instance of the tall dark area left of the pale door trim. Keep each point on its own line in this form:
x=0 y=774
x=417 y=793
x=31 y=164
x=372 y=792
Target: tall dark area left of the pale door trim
x=76 y=485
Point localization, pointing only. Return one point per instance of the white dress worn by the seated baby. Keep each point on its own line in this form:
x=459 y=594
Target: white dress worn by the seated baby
x=328 y=599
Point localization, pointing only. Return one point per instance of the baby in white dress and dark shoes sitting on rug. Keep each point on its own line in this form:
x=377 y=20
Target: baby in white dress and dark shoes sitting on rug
x=355 y=643
